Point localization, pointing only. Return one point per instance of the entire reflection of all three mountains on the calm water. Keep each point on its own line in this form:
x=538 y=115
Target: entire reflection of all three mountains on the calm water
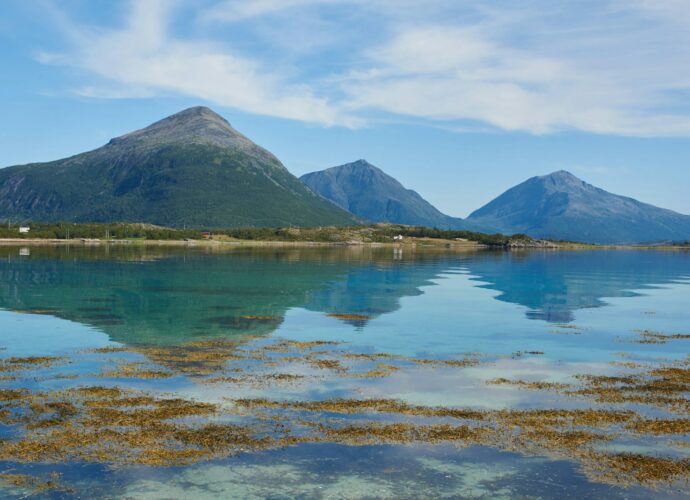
x=173 y=295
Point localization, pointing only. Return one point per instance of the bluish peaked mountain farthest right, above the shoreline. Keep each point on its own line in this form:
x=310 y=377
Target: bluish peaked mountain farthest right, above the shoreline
x=561 y=206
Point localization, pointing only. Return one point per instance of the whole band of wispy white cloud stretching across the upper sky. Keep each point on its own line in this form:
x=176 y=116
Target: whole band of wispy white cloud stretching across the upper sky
x=609 y=67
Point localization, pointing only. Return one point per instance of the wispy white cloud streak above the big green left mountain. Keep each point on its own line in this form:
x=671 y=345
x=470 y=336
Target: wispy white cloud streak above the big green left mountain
x=142 y=56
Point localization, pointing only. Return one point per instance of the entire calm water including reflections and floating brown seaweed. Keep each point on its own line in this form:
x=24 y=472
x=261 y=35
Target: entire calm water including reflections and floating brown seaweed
x=150 y=372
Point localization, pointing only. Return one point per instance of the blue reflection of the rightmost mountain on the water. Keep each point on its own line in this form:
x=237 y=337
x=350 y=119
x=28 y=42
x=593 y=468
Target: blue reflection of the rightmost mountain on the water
x=553 y=285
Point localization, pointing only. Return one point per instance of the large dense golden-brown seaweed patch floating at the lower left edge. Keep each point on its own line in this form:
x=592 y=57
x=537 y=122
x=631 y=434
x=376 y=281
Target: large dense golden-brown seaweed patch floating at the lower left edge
x=118 y=426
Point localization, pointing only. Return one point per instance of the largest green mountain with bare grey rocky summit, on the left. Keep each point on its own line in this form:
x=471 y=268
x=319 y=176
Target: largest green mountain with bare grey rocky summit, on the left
x=191 y=168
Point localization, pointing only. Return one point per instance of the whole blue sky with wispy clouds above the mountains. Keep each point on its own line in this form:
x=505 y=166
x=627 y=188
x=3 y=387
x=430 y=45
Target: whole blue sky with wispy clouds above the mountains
x=459 y=100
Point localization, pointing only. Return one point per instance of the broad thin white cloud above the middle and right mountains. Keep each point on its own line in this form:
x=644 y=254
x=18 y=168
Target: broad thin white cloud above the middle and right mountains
x=516 y=73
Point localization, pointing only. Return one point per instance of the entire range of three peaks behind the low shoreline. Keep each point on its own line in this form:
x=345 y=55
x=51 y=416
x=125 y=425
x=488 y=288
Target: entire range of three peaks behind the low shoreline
x=194 y=169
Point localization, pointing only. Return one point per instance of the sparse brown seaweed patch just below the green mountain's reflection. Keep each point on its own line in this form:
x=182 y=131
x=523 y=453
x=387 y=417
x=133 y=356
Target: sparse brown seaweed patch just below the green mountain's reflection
x=260 y=363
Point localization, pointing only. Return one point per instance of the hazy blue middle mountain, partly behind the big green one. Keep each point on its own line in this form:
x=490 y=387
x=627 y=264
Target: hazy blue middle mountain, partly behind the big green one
x=371 y=194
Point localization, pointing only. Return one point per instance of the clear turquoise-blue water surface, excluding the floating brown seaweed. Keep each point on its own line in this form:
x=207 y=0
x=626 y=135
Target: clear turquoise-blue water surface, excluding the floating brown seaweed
x=571 y=312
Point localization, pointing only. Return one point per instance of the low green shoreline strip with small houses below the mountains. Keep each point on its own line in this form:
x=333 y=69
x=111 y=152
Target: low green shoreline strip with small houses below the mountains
x=373 y=235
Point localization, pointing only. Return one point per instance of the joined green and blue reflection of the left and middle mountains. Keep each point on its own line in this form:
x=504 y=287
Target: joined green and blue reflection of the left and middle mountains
x=172 y=295
